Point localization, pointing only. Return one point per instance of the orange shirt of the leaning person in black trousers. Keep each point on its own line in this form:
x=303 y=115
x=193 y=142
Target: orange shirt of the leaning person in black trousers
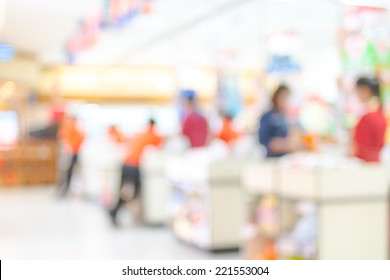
x=138 y=145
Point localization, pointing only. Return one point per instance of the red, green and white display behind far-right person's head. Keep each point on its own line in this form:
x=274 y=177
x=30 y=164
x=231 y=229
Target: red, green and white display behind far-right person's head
x=365 y=50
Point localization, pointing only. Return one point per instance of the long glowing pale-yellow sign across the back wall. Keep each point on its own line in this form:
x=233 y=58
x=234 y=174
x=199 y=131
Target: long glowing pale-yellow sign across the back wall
x=110 y=82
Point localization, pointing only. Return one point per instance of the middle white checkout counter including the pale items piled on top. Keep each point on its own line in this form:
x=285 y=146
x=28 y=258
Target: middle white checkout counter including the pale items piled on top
x=207 y=195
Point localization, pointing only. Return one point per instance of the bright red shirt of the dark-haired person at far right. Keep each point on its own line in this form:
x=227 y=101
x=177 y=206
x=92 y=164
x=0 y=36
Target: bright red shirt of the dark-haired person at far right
x=370 y=136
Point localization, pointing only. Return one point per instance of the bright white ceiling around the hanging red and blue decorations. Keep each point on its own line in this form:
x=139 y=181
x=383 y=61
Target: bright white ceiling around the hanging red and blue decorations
x=176 y=31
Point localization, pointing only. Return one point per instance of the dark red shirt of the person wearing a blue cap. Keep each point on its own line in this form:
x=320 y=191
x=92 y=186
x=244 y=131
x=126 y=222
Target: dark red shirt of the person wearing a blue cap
x=195 y=128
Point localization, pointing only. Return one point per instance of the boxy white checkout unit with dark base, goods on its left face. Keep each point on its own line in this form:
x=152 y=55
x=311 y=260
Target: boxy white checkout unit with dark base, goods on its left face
x=208 y=209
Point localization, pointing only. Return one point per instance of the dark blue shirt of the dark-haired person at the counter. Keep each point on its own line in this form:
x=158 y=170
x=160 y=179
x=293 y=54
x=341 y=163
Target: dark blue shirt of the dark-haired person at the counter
x=272 y=124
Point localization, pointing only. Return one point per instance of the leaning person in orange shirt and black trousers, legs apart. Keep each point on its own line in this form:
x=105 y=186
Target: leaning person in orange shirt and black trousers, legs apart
x=130 y=169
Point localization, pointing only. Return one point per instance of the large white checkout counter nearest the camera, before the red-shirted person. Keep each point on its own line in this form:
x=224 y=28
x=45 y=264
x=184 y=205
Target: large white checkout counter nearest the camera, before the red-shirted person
x=351 y=201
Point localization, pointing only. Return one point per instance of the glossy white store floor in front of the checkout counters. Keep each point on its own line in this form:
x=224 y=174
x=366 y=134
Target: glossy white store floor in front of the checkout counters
x=36 y=225
